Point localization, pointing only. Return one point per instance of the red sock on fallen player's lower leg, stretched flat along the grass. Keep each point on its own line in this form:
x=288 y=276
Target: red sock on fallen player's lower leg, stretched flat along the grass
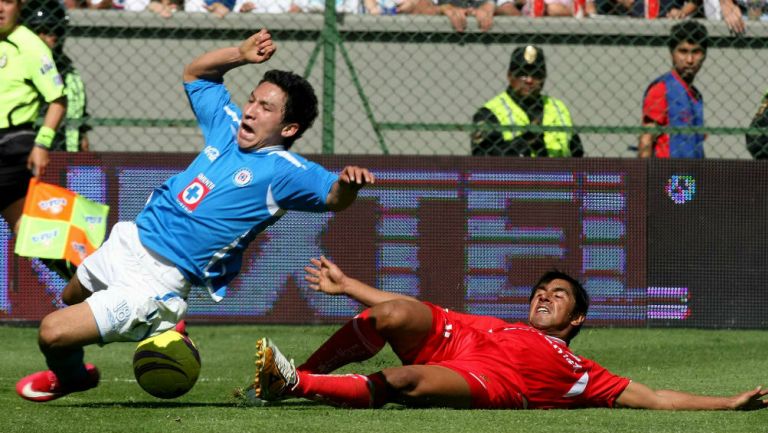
x=344 y=390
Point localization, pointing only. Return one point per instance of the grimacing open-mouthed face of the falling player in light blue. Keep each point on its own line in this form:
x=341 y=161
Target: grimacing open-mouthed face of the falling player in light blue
x=262 y=122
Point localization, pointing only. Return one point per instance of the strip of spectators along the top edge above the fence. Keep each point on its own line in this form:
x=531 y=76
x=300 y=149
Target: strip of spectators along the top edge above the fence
x=732 y=12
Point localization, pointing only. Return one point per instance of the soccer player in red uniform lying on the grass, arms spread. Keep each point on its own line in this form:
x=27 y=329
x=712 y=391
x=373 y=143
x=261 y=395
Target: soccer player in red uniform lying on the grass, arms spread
x=460 y=360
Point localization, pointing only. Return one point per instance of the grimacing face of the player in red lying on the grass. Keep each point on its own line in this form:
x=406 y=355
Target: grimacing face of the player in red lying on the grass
x=552 y=306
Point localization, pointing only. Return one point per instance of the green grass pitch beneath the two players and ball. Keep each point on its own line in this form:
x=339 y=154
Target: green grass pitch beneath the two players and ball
x=701 y=361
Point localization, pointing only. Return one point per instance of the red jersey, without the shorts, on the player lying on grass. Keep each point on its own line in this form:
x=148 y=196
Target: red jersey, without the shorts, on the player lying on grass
x=551 y=376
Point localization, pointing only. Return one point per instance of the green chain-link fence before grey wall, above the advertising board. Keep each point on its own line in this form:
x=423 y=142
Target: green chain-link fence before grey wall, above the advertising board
x=408 y=84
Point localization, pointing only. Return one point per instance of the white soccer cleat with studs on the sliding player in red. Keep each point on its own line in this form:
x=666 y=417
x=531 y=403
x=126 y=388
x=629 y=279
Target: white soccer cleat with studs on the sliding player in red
x=275 y=374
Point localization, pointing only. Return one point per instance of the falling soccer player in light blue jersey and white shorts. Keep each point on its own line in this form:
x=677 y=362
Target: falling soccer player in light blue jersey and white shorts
x=196 y=225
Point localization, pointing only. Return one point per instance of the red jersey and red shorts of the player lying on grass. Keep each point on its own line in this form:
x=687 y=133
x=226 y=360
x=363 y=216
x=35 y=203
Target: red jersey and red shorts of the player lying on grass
x=513 y=366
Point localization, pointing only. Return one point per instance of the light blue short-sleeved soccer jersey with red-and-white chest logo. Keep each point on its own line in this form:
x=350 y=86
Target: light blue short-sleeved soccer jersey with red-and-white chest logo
x=204 y=217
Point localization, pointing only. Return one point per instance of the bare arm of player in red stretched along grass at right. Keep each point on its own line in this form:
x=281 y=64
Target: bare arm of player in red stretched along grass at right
x=639 y=396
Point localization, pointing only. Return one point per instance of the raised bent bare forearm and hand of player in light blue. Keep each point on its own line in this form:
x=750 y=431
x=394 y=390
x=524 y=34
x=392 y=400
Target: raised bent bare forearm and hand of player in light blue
x=214 y=64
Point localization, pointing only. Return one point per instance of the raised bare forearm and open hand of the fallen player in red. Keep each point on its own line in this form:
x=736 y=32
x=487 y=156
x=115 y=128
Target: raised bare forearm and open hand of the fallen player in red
x=324 y=276
